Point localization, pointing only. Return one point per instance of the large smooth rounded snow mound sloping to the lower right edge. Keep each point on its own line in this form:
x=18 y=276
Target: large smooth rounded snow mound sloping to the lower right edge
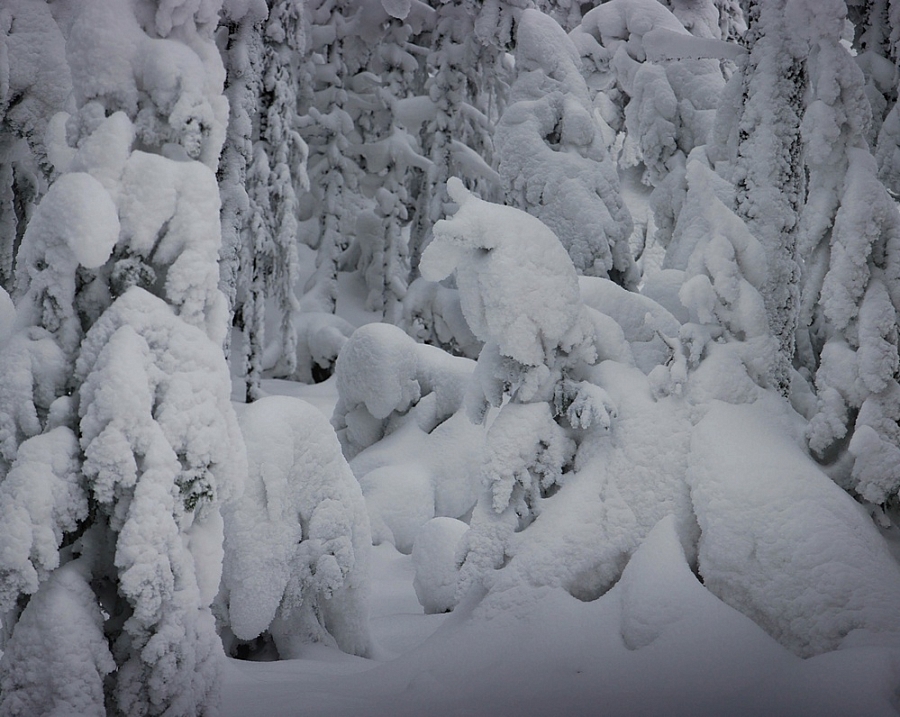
x=779 y=541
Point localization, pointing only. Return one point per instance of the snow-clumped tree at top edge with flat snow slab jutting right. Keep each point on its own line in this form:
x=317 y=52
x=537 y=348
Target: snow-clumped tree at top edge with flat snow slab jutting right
x=659 y=86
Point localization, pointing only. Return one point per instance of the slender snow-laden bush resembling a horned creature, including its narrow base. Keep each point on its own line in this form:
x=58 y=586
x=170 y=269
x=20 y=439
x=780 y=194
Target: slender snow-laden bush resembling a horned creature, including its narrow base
x=520 y=295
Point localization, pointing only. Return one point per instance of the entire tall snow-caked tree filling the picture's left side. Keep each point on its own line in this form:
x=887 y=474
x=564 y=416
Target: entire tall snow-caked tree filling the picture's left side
x=119 y=440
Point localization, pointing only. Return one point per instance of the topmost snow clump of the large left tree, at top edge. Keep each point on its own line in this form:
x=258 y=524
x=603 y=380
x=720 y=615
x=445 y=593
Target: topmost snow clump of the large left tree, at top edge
x=158 y=66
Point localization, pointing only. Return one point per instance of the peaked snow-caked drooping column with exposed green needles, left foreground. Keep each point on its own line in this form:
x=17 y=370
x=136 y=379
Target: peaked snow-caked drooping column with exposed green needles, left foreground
x=161 y=453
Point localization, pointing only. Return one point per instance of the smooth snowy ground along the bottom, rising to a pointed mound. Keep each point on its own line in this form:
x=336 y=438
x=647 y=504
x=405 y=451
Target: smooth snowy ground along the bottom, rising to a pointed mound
x=657 y=643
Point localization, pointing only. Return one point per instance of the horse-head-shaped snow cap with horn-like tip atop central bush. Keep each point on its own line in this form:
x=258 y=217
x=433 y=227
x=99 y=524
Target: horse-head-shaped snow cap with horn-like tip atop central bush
x=517 y=285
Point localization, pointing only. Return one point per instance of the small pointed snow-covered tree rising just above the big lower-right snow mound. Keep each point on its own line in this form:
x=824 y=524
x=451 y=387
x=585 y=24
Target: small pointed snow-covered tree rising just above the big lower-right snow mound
x=727 y=336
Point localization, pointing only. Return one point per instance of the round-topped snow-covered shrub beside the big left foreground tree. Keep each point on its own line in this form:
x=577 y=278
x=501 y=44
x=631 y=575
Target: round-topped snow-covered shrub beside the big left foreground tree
x=297 y=541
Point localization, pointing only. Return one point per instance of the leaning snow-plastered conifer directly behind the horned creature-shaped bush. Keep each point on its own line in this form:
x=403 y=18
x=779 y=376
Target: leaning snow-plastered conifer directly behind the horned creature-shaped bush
x=552 y=154
